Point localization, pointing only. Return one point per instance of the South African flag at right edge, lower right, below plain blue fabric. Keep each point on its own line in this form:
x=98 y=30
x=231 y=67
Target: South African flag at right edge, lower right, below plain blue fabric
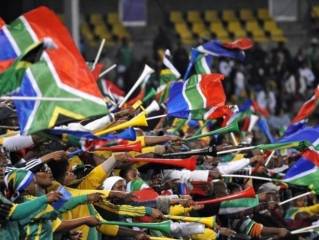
x=305 y=171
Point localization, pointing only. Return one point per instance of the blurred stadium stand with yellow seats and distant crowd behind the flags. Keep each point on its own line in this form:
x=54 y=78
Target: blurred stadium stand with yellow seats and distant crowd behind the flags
x=281 y=70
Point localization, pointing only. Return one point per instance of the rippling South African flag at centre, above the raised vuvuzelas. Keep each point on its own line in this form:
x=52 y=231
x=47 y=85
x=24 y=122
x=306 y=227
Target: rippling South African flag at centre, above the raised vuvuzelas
x=192 y=98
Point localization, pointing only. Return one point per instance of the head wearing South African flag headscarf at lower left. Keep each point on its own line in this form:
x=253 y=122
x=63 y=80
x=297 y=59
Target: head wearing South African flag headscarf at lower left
x=18 y=182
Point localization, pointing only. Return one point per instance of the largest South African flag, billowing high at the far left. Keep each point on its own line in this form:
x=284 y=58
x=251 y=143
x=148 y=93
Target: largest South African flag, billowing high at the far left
x=62 y=73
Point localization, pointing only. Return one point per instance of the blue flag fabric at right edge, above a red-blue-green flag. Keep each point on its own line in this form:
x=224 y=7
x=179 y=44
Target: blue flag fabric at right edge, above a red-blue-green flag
x=306 y=134
